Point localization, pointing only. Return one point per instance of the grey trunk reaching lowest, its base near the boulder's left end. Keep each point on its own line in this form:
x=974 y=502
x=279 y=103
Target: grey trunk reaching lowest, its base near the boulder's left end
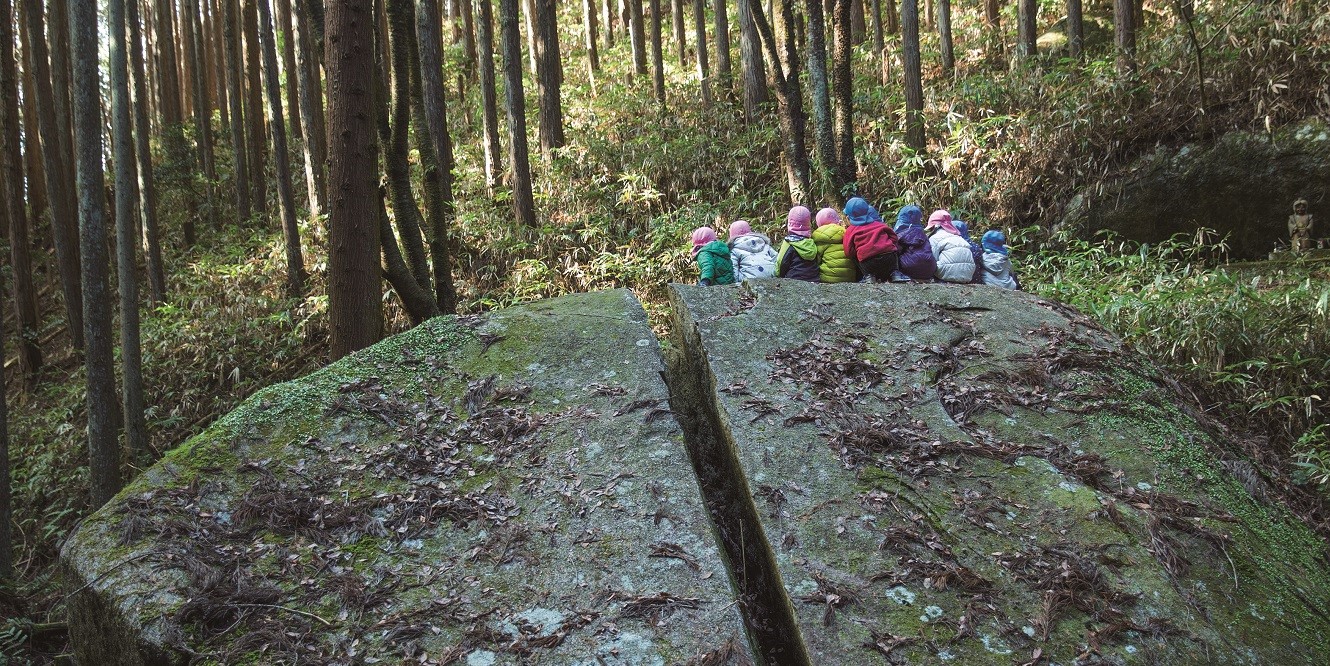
x=92 y=233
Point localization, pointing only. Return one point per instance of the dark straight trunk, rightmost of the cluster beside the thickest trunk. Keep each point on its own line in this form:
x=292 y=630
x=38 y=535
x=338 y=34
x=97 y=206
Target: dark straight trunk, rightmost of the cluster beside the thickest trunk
x=436 y=150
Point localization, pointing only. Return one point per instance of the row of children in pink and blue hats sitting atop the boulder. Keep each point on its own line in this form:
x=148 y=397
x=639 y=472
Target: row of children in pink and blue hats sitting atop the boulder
x=863 y=249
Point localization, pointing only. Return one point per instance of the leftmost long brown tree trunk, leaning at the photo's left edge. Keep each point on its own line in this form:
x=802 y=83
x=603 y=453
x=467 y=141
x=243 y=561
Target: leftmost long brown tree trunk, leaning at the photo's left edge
x=11 y=195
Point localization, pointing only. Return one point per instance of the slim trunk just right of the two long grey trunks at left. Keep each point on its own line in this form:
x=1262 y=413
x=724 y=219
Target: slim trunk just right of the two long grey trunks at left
x=144 y=163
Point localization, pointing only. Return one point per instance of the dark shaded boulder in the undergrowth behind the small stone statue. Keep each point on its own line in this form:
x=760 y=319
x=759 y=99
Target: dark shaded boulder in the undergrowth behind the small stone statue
x=1244 y=187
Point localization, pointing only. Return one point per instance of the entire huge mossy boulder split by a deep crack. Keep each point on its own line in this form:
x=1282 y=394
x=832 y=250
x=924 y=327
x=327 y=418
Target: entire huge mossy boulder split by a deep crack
x=836 y=475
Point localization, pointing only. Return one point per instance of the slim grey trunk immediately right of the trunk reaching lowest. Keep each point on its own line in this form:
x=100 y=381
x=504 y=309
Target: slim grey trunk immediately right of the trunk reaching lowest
x=123 y=152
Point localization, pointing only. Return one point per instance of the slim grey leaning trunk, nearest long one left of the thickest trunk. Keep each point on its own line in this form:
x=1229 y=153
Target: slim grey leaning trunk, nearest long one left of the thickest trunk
x=281 y=160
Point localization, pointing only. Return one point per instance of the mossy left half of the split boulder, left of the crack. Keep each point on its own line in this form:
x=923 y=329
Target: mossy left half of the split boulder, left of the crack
x=498 y=490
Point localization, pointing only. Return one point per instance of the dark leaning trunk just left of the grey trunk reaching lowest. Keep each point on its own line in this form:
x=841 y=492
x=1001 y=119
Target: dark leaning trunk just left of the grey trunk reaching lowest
x=61 y=191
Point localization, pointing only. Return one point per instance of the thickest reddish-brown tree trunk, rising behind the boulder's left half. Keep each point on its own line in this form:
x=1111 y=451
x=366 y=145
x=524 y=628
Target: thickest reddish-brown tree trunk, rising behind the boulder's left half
x=356 y=316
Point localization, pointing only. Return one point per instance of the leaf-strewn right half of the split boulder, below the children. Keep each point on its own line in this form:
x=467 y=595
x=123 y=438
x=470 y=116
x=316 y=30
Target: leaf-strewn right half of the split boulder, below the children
x=966 y=475
